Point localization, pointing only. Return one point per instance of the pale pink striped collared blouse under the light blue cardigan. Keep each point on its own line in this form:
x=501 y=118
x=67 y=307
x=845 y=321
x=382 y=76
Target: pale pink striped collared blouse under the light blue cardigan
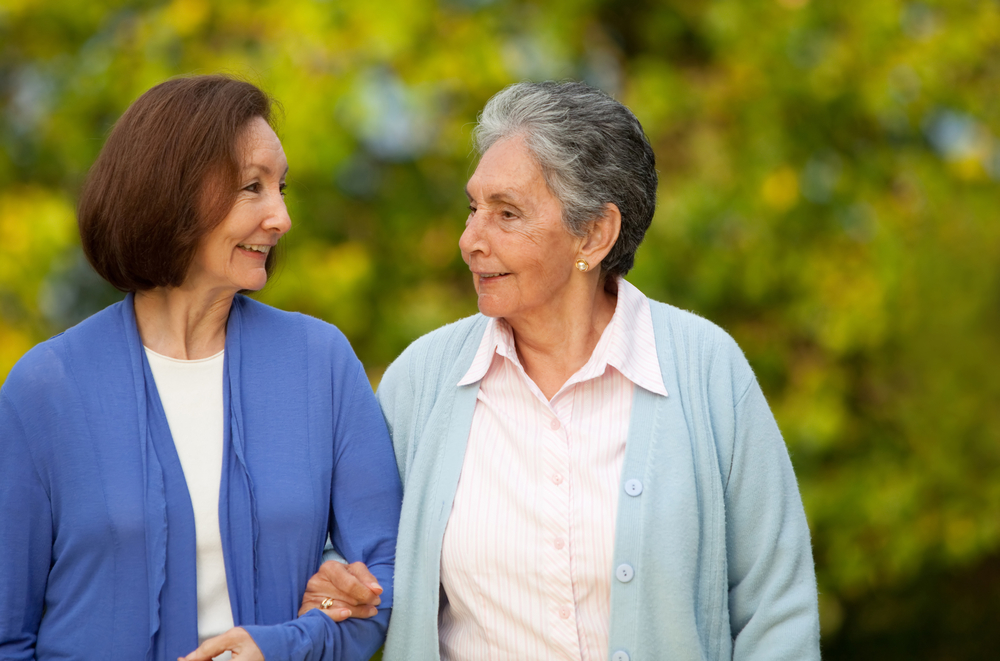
x=526 y=563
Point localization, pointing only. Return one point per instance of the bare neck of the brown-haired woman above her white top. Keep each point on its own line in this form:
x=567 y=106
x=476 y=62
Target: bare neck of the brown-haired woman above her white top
x=181 y=323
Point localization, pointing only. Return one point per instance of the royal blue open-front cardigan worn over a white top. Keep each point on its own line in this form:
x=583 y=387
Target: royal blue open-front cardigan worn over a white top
x=97 y=534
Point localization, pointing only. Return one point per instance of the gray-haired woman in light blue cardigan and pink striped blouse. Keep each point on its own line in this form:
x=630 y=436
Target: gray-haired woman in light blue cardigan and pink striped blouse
x=588 y=474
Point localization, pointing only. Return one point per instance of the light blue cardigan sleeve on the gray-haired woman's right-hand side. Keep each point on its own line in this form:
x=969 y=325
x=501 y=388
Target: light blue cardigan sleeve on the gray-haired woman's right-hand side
x=773 y=605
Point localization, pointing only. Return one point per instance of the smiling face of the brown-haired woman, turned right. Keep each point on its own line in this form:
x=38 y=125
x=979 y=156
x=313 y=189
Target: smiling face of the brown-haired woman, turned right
x=232 y=256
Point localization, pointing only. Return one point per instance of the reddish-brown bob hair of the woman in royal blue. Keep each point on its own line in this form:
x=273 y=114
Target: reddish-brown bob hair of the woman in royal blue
x=167 y=176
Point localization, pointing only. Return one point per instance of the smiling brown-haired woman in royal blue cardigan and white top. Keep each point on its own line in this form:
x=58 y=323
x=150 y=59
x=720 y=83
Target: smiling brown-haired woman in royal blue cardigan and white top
x=174 y=465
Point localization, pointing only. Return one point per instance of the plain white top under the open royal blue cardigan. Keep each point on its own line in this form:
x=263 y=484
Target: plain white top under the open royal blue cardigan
x=191 y=394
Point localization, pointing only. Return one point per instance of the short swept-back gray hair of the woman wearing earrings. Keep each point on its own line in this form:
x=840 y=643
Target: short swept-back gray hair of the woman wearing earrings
x=591 y=150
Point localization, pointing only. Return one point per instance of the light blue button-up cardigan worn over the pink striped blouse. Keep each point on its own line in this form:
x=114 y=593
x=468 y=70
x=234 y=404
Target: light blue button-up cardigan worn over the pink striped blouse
x=717 y=539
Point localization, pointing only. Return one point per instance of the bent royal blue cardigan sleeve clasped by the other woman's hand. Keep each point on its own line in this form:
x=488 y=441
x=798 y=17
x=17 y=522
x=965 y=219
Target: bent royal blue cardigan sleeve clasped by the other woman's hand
x=366 y=498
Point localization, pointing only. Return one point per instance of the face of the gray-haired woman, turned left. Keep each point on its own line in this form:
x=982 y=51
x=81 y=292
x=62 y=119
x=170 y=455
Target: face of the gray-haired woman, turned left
x=519 y=251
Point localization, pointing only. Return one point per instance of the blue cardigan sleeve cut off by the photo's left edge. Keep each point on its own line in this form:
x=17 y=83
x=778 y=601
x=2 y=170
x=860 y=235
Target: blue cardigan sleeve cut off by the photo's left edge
x=25 y=539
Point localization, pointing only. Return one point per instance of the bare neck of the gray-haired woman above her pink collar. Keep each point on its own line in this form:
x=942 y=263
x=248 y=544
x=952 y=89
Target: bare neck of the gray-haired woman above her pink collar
x=553 y=344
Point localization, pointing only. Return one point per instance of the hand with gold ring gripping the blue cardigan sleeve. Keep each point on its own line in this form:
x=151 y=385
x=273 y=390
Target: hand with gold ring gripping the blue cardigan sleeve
x=353 y=589
